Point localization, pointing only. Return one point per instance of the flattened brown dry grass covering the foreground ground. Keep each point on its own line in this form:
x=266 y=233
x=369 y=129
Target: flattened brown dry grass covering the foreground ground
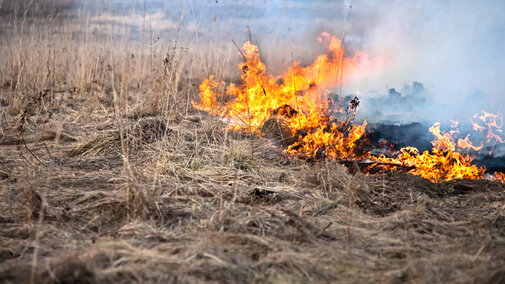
x=181 y=199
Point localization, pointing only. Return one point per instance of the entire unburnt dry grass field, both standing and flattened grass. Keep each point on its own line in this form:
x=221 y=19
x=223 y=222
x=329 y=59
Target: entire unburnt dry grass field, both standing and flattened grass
x=109 y=174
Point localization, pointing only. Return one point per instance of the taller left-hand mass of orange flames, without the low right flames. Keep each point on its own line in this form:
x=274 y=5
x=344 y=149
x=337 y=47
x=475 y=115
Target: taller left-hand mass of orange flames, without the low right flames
x=300 y=98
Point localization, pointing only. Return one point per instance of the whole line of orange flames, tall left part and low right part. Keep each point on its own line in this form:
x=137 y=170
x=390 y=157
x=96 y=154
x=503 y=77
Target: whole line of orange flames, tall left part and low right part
x=299 y=102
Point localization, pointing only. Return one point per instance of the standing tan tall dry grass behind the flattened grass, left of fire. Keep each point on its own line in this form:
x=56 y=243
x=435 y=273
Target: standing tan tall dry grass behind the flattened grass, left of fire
x=56 y=53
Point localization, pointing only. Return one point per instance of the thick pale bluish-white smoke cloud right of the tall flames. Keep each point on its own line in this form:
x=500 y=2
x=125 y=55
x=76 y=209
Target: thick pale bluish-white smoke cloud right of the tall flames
x=453 y=47
